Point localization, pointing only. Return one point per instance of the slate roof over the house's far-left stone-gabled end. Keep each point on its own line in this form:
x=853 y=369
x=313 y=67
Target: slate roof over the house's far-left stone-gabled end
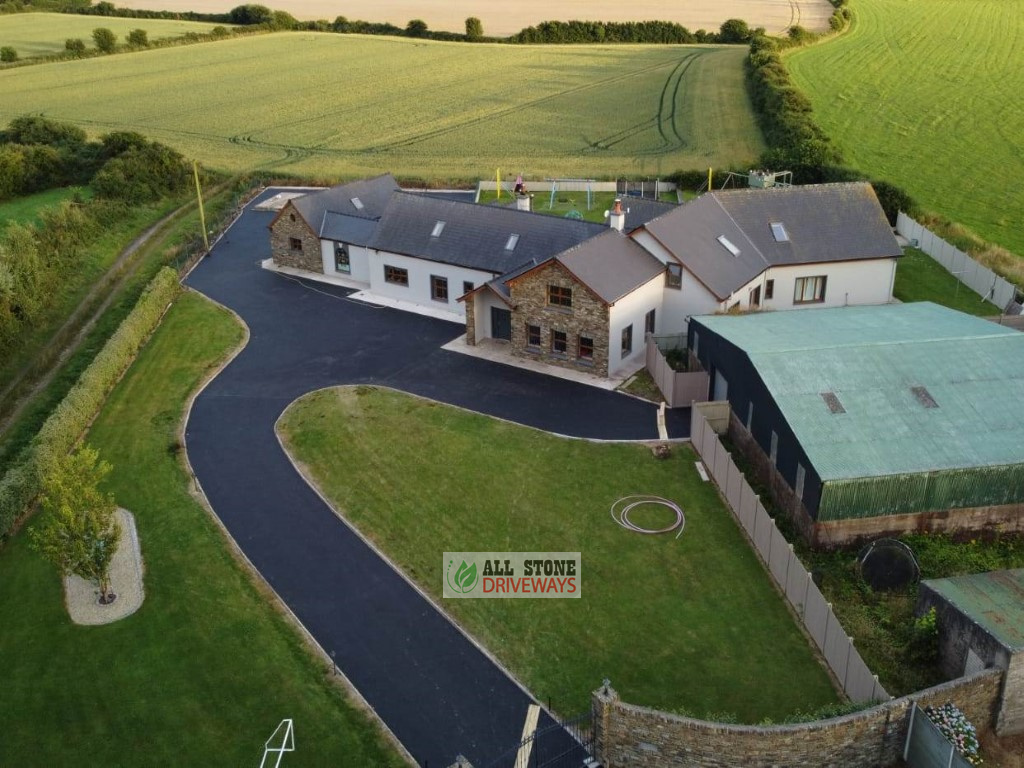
x=333 y=216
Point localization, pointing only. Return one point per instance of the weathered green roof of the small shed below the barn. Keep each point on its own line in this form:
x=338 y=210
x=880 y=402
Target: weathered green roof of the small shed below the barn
x=995 y=601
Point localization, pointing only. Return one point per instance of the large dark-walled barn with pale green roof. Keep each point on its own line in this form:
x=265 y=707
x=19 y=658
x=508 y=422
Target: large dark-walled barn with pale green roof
x=876 y=419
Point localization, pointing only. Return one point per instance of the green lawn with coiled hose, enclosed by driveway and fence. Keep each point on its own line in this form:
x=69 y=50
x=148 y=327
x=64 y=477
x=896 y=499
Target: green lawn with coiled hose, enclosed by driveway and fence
x=690 y=624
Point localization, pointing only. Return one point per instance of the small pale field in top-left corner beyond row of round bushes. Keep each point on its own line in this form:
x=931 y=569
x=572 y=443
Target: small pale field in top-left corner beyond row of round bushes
x=40 y=34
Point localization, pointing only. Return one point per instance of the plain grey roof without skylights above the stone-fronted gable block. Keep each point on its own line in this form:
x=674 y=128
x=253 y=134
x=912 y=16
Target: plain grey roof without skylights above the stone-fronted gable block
x=611 y=265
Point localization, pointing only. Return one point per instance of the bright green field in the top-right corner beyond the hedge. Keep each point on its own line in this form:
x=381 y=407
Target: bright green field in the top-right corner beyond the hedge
x=927 y=95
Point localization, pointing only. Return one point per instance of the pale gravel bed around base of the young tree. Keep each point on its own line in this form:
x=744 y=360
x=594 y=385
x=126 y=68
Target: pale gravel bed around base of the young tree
x=82 y=598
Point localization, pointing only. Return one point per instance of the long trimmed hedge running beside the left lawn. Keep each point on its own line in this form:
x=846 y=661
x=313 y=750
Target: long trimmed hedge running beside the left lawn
x=73 y=416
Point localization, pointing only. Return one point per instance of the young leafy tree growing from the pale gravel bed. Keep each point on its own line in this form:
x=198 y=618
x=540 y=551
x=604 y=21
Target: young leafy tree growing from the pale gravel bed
x=79 y=533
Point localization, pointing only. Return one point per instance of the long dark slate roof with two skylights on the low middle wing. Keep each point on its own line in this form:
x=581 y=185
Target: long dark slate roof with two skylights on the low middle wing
x=475 y=236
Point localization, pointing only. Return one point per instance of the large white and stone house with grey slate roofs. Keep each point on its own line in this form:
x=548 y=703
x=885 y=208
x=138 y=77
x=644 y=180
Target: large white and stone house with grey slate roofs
x=583 y=295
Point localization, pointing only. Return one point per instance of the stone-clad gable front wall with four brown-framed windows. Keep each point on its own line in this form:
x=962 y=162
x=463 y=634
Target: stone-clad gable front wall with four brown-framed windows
x=589 y=317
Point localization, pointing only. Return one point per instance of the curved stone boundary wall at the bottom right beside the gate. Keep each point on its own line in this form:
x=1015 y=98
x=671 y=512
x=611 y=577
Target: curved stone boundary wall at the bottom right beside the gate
x=639 y=738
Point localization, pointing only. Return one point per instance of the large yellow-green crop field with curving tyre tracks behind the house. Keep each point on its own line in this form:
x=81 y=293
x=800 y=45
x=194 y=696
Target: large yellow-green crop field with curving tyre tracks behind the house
x=336 y=105
